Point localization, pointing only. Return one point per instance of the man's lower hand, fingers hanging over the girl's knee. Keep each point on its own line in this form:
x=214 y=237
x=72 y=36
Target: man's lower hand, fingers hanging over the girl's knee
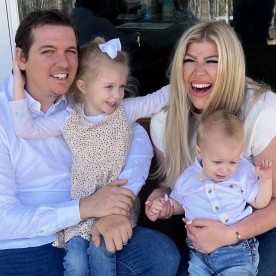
x=116 y=231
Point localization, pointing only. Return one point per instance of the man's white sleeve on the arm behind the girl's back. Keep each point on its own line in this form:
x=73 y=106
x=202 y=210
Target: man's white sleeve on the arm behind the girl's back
x=138 y=161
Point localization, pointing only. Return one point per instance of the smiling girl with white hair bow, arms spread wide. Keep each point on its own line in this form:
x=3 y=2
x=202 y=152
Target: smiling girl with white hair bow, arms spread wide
x=97 y=130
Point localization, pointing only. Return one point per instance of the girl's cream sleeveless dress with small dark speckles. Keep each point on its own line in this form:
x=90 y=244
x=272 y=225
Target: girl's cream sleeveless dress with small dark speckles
x=98 y=156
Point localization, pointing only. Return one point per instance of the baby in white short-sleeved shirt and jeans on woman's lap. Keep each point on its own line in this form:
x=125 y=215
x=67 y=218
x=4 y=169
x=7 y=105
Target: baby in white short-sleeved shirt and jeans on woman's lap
x=218 y=187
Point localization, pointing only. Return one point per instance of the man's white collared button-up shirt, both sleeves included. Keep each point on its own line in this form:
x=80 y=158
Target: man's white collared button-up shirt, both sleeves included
x=35 y=199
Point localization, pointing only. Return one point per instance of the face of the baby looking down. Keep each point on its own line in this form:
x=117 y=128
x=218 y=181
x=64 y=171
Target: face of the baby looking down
x=220 y=157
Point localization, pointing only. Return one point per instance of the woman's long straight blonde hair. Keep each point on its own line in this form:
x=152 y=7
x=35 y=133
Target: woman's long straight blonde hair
x=228 y=92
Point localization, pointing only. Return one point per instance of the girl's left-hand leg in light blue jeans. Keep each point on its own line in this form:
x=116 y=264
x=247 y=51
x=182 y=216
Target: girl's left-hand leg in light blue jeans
x=76 y=259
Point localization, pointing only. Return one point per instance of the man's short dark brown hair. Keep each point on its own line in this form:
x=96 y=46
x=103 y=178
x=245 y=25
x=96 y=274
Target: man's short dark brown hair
x=24 y=36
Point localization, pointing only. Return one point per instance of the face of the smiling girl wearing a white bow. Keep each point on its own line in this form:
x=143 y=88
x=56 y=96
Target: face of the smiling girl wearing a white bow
x=105 y=92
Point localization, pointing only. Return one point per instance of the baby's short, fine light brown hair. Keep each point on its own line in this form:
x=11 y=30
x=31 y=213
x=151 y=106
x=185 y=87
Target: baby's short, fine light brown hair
x=227 y=123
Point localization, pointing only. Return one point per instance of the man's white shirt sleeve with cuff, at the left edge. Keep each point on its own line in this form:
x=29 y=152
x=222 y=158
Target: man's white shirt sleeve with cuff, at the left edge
x=18 y=221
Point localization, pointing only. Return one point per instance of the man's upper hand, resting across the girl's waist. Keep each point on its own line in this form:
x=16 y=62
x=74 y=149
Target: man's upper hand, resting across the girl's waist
x=108 y=200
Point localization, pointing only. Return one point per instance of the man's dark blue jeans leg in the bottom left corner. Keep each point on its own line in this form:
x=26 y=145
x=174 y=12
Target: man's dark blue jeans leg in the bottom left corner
x=44 y=260
